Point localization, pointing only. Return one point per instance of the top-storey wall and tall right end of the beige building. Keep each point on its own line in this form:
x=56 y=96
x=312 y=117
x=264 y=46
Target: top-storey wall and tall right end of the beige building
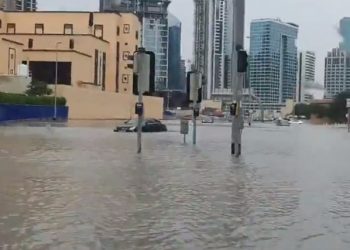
x=122 y=29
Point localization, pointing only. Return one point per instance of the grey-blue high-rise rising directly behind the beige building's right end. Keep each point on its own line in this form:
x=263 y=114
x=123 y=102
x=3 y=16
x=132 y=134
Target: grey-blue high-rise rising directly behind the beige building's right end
x=154 y=32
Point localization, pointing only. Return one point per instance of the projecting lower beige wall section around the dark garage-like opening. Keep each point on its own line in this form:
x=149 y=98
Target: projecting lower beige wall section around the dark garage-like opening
x=82 y=56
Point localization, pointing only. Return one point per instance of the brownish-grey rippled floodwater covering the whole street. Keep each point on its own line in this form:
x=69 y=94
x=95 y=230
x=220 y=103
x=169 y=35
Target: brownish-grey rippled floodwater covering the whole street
x=85 y=188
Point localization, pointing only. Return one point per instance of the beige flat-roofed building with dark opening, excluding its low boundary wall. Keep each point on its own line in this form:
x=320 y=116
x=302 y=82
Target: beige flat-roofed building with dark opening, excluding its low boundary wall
x=92 y=49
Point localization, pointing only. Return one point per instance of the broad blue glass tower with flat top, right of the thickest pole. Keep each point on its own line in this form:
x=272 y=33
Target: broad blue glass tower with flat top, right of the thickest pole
x=273 y=60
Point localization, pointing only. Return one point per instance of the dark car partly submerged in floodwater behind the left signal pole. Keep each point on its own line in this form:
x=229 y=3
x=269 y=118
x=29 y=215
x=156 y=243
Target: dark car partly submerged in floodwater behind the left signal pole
x=148 y=125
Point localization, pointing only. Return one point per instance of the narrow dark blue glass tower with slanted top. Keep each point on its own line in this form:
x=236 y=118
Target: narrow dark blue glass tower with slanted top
x=174 y=54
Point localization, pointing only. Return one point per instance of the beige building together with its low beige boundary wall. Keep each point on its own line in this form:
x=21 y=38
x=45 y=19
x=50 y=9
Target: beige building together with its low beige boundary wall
x=92 y=53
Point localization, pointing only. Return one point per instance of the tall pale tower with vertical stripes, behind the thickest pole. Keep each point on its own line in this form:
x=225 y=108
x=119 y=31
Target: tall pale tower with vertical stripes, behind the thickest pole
x=214 y=43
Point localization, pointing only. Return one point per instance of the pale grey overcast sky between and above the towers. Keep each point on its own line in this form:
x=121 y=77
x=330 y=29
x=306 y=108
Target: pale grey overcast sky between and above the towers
x=318 y=20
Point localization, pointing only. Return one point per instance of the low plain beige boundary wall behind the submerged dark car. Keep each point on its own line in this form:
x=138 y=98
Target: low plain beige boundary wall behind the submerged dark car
x=104 y=105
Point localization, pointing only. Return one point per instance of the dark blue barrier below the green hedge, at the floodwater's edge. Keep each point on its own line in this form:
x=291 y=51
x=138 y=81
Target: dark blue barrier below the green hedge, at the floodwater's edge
x=13 y=112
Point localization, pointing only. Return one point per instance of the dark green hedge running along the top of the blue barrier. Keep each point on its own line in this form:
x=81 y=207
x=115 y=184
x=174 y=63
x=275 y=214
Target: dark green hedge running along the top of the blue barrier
x=6 y=98
